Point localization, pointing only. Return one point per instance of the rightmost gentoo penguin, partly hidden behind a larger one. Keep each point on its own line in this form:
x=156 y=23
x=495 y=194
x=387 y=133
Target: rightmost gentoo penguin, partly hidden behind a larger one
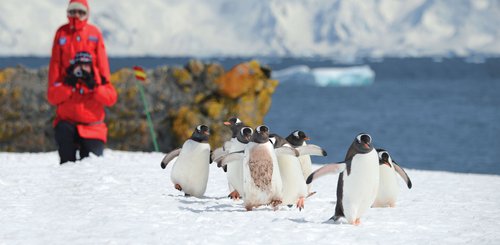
x=388 y=190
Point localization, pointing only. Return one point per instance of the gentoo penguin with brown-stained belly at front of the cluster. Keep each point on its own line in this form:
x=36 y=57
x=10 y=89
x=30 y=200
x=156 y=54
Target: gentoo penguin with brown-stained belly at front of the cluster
x=261 y=176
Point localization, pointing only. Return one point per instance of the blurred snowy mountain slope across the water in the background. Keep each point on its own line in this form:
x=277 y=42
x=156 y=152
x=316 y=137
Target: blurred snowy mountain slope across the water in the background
x=341 y=29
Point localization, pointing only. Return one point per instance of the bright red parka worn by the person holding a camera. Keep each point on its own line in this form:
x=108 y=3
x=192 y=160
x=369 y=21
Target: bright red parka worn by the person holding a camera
x=82 y=106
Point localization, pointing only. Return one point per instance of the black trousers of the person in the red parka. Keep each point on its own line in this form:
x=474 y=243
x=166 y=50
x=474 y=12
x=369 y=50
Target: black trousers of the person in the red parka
x=69 y=141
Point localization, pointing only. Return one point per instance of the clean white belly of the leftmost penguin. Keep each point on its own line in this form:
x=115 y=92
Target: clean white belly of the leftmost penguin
x=191 y=168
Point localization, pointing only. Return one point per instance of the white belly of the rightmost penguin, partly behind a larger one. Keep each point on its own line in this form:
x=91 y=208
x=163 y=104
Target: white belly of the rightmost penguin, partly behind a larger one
x=389 y=189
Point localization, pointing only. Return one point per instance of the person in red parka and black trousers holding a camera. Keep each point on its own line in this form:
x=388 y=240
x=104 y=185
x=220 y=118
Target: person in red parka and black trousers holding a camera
x=79 y=85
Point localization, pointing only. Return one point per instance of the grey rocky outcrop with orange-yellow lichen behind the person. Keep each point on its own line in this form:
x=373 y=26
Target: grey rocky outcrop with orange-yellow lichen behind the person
x=179 y=98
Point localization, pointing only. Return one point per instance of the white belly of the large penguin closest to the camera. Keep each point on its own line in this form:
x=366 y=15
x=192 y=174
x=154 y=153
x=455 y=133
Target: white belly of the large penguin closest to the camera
x=361 y=186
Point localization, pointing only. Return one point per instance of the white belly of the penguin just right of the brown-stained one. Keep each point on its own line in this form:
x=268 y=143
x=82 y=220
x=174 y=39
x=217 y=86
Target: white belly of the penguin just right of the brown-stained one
x=294 y=185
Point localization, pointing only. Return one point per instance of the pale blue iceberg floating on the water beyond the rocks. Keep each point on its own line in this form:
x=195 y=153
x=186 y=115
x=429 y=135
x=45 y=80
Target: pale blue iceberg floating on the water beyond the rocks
x=326 y=76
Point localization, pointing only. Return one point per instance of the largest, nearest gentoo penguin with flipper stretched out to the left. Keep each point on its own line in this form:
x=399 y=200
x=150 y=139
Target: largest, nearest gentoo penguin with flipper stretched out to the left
x=358 y=180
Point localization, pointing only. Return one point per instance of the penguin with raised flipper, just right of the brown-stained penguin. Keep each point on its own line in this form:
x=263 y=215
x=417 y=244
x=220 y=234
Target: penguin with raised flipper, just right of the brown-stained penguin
x=294 y=184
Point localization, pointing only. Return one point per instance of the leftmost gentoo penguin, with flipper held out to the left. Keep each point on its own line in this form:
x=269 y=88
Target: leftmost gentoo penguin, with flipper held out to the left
x=190 y=171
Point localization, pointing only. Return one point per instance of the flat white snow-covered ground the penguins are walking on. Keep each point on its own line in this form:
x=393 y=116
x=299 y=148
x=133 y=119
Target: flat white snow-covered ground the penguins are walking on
x=125 y=197
